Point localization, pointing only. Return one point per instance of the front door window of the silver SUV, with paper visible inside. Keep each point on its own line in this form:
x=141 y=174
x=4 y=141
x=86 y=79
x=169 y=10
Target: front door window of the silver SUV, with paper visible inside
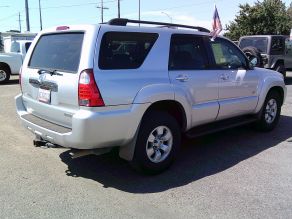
x=227 y=55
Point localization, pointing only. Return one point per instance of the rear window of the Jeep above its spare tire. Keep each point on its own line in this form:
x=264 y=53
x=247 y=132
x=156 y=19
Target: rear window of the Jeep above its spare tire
x=258 y=42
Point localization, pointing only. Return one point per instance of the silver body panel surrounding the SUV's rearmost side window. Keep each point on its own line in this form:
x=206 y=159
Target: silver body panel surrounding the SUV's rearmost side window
x=121 y=86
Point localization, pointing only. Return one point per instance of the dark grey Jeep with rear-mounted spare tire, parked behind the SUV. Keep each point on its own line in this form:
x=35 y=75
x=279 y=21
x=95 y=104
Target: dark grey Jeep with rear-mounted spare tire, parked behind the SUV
x=268 y=51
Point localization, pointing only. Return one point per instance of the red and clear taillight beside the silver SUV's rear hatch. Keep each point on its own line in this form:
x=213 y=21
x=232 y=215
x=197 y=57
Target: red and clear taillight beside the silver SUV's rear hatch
x=88 y=92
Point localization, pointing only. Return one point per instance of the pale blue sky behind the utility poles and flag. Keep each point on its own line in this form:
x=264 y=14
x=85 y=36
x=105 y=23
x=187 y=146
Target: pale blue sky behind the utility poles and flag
x=66 y=12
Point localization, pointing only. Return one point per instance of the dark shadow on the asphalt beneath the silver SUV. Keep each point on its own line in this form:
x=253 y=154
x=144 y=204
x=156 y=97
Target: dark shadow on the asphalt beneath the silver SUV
x=199 y=158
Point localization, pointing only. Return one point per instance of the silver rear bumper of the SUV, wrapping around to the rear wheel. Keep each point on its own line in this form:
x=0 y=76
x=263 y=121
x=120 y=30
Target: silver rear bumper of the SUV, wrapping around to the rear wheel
x=89 y=129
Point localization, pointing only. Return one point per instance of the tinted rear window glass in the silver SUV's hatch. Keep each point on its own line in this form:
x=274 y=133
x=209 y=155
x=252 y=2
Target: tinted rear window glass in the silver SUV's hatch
x=58 y=52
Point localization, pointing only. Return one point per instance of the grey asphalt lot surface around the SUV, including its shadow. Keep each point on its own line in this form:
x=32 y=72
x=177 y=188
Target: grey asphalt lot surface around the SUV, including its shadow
x=237 y=173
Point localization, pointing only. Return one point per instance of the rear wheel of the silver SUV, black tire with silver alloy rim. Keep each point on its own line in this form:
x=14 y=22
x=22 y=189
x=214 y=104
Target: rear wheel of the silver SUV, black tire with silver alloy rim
x=157 y=143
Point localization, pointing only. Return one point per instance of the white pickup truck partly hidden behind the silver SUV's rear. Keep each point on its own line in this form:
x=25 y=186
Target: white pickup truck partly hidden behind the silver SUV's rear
x=11 y=61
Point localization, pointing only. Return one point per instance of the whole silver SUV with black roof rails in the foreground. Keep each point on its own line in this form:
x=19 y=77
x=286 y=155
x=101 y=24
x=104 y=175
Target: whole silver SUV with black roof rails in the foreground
x=98 y=87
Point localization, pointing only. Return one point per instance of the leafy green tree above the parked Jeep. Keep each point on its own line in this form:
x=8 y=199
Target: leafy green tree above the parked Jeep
x=266 y=17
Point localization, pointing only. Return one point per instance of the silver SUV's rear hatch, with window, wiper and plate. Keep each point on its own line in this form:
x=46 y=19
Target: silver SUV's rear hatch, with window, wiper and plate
x=51 y=70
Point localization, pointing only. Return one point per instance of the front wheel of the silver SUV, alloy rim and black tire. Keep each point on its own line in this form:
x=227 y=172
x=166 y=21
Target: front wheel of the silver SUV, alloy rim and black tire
x=263 y=123
